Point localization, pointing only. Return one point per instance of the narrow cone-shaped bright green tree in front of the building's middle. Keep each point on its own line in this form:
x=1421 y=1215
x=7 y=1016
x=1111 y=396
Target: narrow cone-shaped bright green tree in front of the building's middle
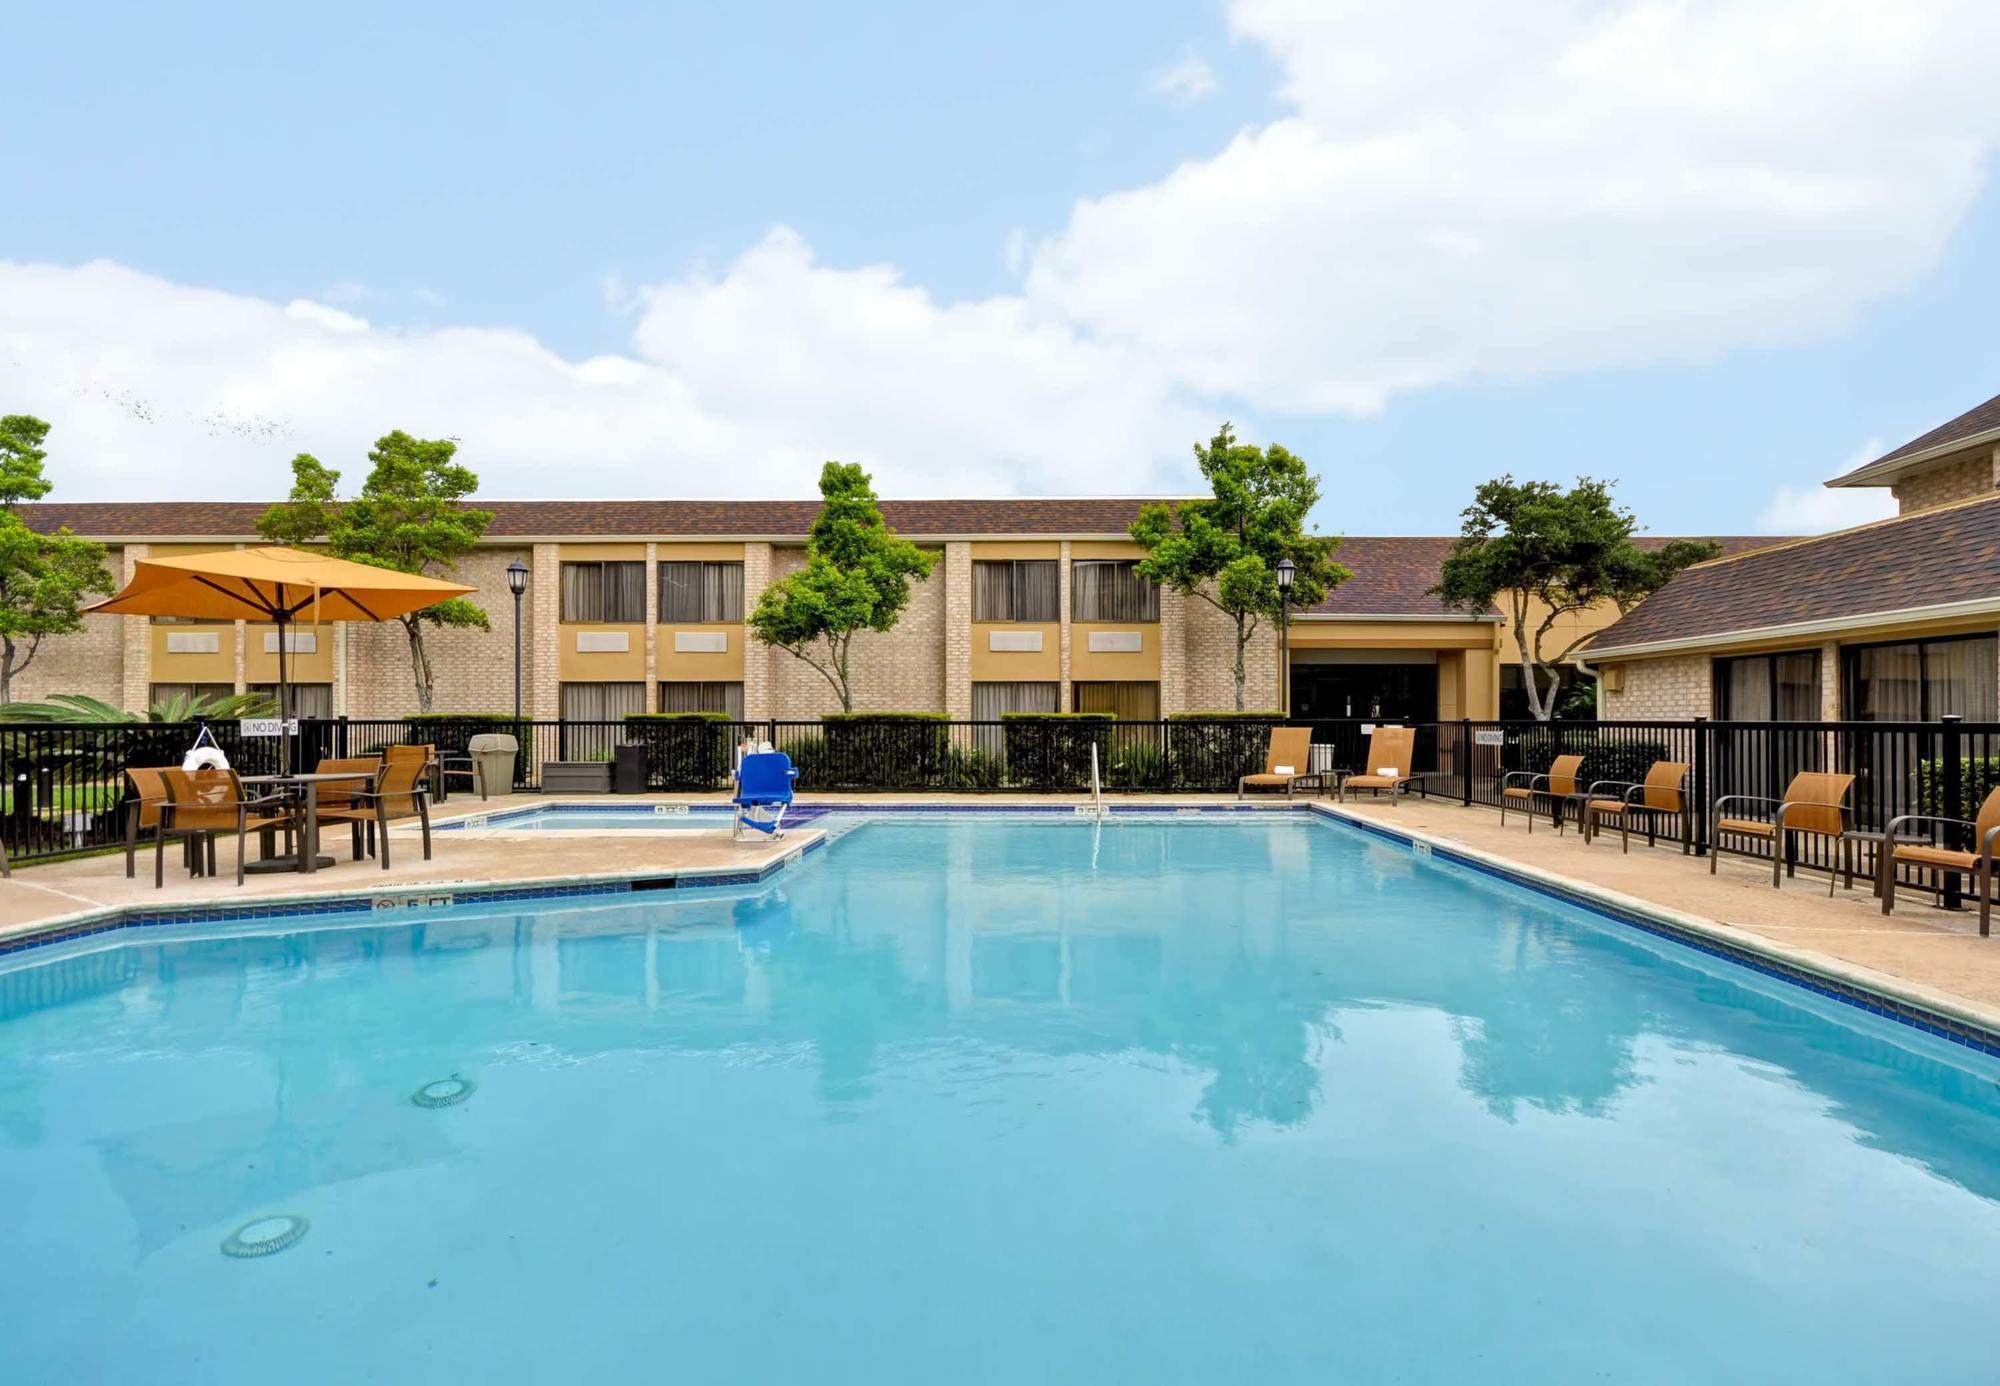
x=857 y=577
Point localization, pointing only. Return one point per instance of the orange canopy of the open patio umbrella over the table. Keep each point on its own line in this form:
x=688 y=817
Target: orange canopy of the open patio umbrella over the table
x=283 y=585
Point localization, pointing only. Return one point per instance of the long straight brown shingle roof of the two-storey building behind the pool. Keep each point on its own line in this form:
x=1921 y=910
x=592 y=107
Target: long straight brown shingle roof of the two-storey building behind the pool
x=621 y=519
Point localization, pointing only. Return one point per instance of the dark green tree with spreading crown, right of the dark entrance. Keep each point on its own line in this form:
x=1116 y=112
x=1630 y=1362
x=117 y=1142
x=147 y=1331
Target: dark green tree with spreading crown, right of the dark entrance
x=1547 y=555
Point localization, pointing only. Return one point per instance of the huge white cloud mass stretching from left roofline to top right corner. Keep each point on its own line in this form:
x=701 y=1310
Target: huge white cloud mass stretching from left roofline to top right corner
x=1457 y=191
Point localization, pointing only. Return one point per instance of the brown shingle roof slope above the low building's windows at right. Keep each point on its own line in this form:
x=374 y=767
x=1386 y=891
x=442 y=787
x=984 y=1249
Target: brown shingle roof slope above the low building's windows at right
x=1929 y=559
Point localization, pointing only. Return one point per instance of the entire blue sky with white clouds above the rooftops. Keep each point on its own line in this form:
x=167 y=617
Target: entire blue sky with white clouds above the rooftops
x=1715 y=251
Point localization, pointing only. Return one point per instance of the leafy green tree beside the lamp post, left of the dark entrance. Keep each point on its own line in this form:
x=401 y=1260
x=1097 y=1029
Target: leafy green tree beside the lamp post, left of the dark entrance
x=1227 y=549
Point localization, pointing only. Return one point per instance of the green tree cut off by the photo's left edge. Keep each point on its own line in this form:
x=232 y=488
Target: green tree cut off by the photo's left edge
x=43 y=577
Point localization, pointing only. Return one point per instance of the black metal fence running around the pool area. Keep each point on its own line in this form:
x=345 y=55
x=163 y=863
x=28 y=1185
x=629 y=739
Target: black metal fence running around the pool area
x=65 y=785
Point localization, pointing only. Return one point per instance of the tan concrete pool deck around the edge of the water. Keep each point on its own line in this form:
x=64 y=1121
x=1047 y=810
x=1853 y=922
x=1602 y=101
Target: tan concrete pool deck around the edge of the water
x=1933 y=955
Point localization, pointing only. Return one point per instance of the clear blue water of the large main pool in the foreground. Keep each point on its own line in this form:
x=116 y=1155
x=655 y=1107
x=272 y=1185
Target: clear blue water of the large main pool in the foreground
x=991 y=1101
